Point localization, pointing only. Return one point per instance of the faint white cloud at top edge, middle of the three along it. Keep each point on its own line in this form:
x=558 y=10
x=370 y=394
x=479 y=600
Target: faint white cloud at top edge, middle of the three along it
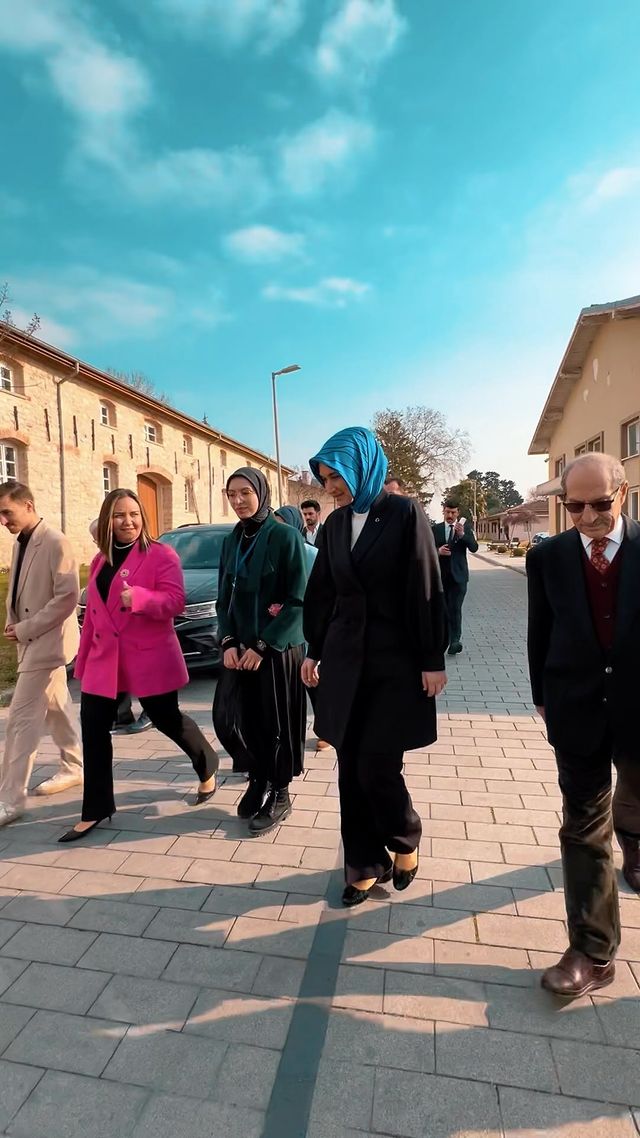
x=237 y=22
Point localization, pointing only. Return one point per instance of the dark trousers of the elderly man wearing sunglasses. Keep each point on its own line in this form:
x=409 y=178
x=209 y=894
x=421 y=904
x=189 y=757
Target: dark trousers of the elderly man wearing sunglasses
x=589 y=821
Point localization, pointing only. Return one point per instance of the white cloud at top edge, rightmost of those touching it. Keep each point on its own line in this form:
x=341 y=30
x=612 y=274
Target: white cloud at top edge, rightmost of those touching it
x=358 y=39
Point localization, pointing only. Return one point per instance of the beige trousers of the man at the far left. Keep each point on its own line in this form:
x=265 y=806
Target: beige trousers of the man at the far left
x=42 y=705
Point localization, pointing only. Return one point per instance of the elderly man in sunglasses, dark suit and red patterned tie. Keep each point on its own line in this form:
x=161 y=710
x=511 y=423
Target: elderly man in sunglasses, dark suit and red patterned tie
x=585 y=664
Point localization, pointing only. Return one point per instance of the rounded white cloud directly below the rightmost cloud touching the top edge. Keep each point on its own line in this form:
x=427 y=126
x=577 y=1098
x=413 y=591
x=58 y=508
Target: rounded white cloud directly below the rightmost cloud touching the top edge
x=325 y=151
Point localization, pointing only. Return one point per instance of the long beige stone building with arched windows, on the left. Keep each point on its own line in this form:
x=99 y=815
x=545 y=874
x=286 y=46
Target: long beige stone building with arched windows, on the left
x=75 y=433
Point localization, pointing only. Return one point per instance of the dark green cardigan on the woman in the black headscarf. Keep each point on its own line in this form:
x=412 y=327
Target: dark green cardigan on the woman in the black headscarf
x=276 y=574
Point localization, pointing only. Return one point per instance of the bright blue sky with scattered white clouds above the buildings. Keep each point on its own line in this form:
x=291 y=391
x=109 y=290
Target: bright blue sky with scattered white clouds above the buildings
x=411 y=200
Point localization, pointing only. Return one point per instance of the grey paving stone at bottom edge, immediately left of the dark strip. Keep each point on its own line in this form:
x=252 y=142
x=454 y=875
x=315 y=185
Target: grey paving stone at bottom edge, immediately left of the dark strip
x=168 y=1117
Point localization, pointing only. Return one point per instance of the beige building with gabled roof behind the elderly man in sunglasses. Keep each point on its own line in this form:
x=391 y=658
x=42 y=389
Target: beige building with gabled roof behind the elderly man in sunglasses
x=595 y=401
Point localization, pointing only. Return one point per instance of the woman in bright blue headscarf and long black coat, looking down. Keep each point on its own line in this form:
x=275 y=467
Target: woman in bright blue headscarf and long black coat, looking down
x=376 y=626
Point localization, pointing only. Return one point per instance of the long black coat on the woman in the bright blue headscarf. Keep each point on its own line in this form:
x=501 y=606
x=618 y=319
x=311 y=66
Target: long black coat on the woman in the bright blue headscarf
x=375 y=619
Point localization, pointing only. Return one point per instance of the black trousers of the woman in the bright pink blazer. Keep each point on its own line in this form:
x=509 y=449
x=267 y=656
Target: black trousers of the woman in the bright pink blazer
x=97 y=714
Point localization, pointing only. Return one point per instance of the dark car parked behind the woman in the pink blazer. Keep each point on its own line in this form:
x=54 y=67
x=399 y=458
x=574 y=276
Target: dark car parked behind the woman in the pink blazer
x=199 y=549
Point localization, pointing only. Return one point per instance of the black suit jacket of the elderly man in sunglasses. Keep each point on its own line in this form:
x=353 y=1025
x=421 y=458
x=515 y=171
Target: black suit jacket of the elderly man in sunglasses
x=585 y=690
